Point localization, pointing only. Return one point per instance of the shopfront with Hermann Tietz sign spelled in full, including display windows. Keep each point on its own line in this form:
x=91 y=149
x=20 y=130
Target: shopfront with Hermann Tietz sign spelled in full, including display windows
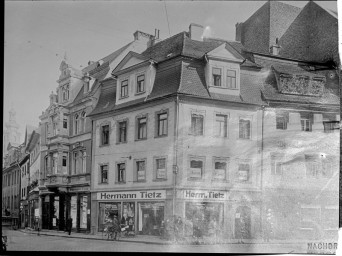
x=143 y=211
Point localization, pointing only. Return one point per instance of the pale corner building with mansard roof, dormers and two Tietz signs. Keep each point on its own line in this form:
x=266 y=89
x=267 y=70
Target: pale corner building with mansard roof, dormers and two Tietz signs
x=180 y=134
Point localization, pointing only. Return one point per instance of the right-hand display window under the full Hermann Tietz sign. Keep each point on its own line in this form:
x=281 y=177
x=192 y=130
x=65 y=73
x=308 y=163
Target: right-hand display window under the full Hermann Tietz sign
x=150 y=216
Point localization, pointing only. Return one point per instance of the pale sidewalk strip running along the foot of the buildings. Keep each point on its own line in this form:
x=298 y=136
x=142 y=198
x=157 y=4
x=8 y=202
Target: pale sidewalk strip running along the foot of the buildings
x=147 y=239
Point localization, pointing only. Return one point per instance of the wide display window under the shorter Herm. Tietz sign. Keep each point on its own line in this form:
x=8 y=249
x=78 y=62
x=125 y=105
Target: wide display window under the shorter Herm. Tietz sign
x=198 y=216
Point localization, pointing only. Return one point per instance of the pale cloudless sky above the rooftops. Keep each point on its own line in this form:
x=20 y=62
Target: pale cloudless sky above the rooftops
x=39 y=33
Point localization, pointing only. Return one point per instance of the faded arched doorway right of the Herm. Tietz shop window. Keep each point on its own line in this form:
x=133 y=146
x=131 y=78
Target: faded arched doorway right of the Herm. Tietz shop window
x=243 y=222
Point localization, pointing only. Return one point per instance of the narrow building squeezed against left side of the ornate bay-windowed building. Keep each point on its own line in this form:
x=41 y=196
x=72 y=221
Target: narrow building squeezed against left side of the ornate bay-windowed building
x=33 y=149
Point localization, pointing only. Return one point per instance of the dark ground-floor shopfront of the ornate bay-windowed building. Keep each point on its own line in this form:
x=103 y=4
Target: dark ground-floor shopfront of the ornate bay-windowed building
x=60 y=204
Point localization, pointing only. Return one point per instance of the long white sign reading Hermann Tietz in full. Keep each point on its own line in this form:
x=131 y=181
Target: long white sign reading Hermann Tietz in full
x=141 y=195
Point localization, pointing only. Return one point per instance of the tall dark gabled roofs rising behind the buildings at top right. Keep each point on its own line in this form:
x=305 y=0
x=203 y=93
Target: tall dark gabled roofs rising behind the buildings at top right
x=307 y=34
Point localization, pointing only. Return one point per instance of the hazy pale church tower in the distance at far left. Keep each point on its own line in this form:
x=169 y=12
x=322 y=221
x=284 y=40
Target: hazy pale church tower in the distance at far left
x=11 y=133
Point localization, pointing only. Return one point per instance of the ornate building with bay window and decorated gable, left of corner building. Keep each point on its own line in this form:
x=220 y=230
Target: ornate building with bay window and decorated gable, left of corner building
x=66 y=139
